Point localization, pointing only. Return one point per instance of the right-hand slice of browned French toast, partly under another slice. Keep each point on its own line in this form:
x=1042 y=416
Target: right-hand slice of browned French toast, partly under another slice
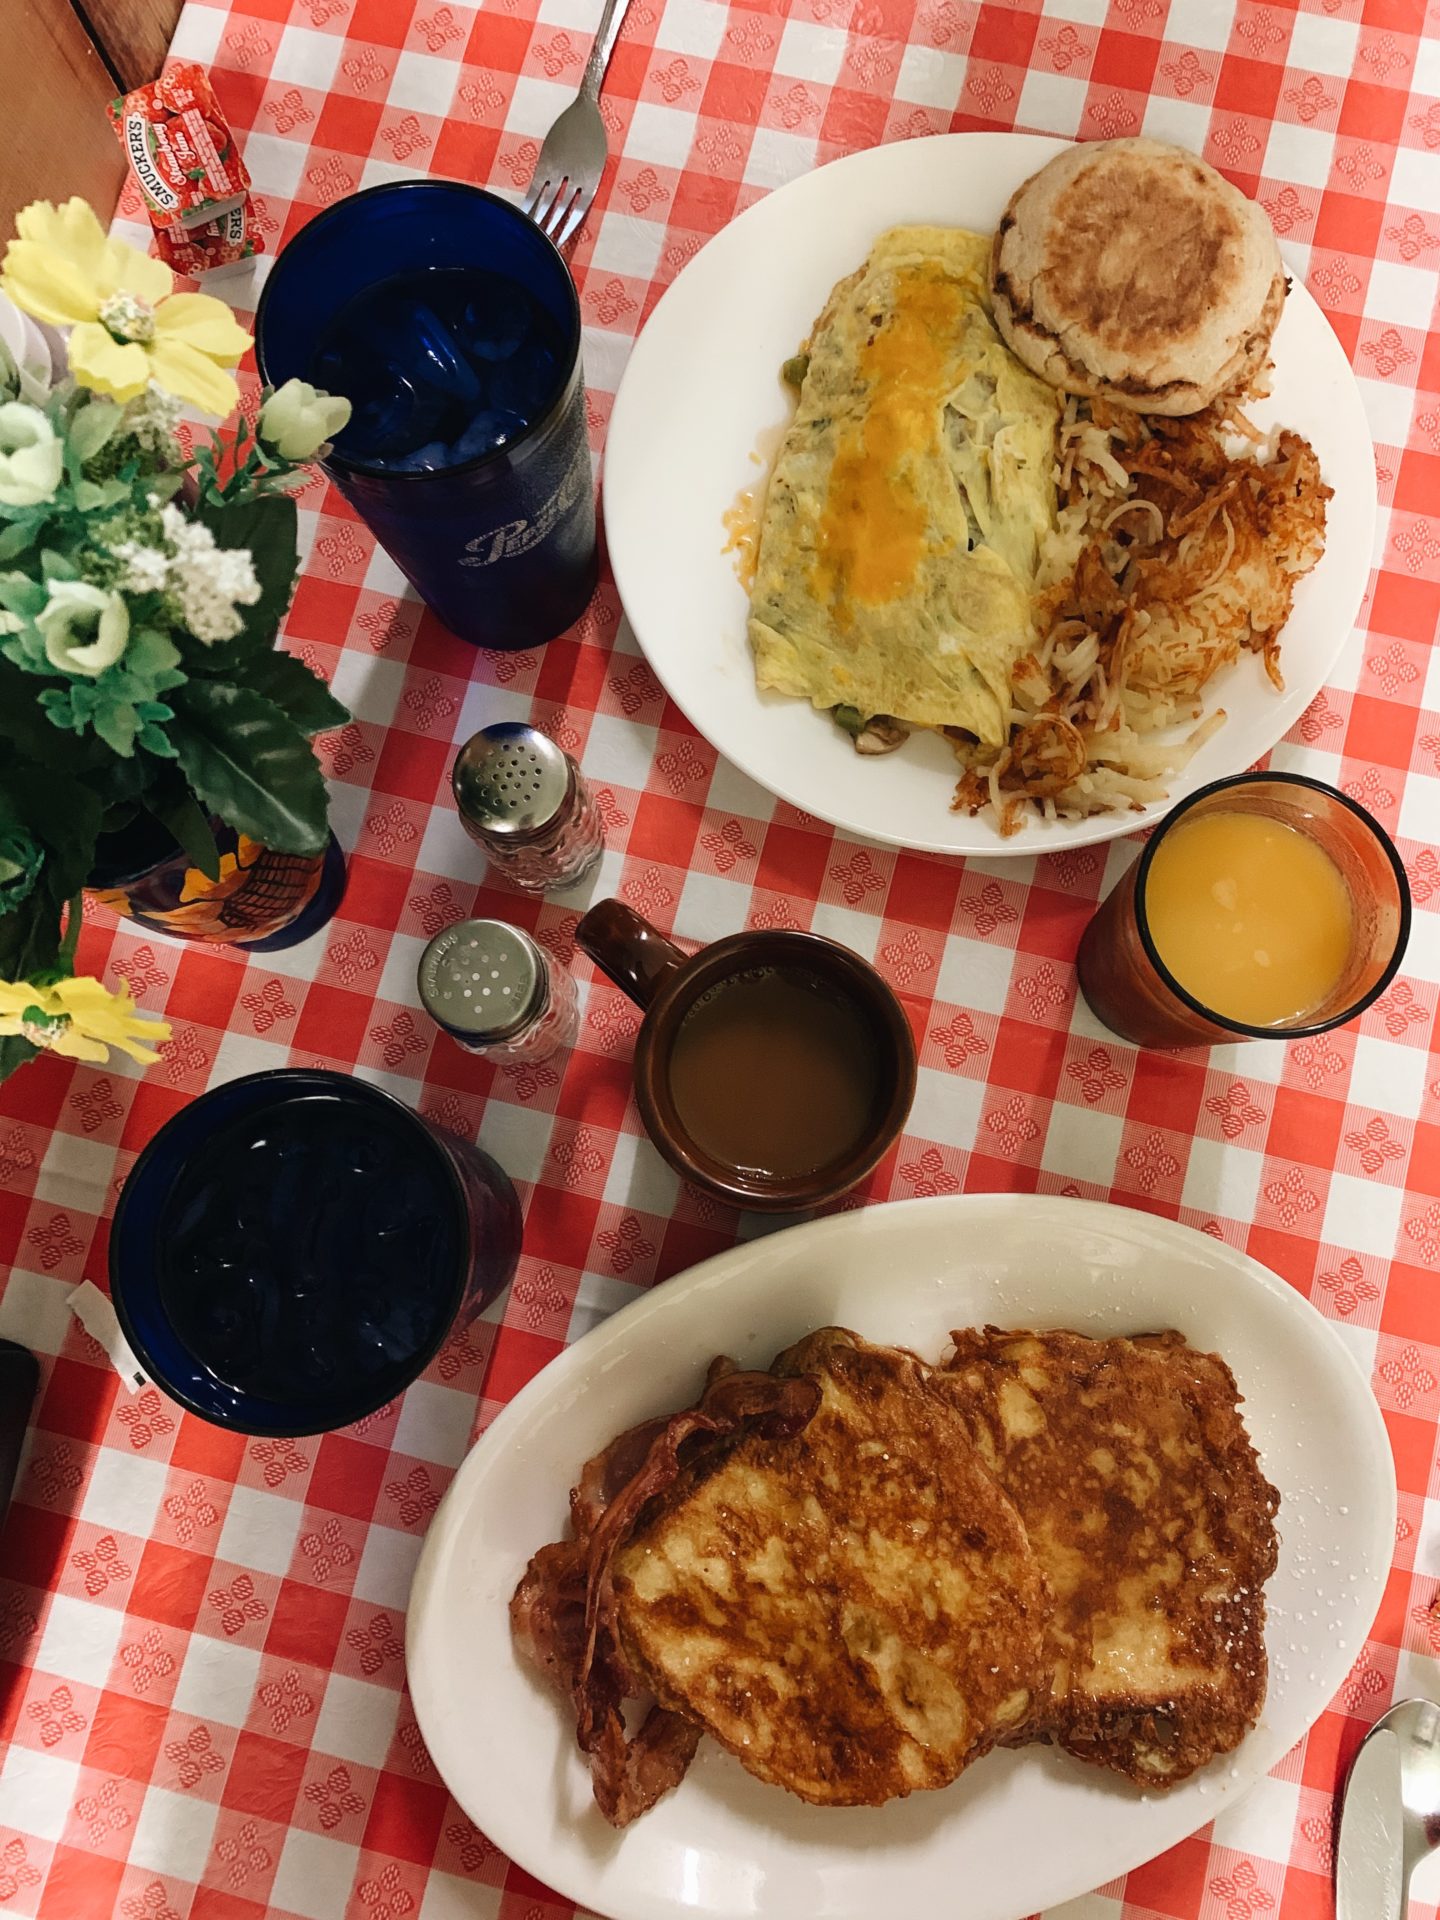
x=1153 y=1524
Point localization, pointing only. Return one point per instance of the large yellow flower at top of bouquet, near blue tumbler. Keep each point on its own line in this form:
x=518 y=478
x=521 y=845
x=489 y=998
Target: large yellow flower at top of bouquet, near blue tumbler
x=128 y=325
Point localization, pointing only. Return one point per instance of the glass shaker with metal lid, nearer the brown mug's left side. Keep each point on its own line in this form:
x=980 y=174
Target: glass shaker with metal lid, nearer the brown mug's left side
x=498 y=994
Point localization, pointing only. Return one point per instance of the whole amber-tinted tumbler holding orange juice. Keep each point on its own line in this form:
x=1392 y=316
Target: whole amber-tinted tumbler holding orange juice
x=1264 y=907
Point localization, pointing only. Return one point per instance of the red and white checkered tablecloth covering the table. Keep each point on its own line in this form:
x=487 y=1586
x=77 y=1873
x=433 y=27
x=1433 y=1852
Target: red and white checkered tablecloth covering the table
x=203 y=1635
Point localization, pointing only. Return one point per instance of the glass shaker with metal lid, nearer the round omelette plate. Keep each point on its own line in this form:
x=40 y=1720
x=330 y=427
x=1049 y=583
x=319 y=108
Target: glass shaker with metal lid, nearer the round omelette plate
x=525 y=802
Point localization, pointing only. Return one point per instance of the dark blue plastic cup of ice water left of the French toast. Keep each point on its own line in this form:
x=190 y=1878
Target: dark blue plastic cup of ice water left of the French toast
x=293 y=1249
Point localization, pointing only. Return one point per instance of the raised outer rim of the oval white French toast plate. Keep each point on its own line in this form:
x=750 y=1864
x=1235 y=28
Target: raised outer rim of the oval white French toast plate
x=623 y=1333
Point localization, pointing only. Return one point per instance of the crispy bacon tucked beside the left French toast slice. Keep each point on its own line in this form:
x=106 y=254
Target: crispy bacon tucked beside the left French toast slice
x=564 y=1610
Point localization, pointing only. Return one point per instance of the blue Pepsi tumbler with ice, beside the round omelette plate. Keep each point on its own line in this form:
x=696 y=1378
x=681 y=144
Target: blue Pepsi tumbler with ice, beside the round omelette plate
x=452 y=325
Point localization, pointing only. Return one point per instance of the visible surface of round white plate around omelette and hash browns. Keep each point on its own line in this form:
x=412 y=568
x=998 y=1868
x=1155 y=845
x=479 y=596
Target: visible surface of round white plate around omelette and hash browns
x=704 y=393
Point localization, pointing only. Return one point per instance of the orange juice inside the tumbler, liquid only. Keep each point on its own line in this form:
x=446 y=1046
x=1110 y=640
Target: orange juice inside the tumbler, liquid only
x=1251 y=917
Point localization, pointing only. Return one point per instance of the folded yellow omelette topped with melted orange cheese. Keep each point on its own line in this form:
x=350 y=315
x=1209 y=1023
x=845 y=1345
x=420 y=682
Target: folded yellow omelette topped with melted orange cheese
x=909 y=498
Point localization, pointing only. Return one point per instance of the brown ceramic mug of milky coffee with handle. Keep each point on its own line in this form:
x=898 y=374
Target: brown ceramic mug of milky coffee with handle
x=773 y=1070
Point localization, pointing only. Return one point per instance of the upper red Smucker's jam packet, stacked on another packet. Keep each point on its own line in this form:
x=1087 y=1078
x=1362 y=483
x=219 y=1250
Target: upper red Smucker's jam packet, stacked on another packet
x=181 y=149
